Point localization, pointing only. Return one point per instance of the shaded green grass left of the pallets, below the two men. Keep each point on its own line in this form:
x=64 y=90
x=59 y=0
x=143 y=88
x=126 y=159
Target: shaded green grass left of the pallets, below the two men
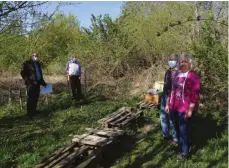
x=24 y=143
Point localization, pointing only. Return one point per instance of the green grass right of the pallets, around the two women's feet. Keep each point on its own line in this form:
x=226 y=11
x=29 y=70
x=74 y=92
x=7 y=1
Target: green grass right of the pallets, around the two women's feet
x=210 y=146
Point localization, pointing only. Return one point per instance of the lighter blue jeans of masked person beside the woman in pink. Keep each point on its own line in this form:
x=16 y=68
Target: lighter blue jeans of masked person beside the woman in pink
x=166 y=122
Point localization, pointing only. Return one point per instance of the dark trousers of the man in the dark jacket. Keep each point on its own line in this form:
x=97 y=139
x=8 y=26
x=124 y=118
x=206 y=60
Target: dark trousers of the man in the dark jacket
x=33 y=92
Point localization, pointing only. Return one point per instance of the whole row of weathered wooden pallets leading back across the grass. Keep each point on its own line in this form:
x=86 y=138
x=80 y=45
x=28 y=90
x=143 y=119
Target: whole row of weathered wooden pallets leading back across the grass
x=86 y=148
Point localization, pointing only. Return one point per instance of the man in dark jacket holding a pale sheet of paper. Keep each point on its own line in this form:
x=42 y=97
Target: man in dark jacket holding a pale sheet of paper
x=32 y=74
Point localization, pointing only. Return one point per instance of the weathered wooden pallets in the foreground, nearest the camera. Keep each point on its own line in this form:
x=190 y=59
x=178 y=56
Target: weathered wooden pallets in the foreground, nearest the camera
x=83 y=150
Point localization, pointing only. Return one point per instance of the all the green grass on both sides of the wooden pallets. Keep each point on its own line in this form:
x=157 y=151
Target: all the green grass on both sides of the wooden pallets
x=24 y=143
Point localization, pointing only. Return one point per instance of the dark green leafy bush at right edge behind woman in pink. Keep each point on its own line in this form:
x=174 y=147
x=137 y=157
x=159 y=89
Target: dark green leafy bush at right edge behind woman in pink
x=211 y=53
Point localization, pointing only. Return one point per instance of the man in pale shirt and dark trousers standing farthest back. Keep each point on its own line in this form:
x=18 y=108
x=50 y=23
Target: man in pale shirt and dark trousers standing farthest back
x=73 y=70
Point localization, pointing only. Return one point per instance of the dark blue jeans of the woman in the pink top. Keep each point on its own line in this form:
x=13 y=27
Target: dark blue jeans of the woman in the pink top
x=182 y=128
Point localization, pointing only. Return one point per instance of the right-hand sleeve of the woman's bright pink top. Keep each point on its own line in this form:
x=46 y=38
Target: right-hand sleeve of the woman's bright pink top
x=195 y=88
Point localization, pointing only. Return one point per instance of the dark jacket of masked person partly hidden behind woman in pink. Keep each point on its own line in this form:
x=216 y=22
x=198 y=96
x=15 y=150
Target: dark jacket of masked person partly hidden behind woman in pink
x=169 y=75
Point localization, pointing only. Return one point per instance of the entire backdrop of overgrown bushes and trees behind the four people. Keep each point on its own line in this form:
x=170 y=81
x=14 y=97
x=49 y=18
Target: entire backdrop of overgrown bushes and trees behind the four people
x=141 y=38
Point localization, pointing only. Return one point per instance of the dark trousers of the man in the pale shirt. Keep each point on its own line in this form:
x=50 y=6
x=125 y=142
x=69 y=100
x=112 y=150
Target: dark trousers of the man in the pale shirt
x=75 y=84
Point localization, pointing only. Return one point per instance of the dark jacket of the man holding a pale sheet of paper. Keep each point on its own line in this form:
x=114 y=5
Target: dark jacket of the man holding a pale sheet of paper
x=28 y=73
